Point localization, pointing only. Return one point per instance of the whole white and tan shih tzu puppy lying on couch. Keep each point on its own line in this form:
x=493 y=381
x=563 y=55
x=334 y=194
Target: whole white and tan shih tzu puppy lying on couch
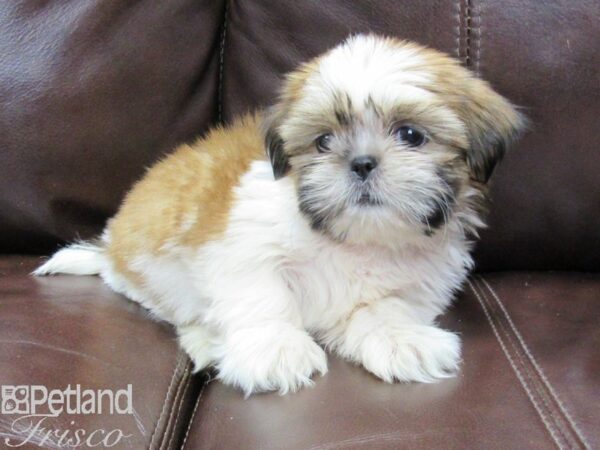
x=342 y=217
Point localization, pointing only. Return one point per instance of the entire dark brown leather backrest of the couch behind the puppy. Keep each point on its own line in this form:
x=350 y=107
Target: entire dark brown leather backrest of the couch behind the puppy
x=92 y=92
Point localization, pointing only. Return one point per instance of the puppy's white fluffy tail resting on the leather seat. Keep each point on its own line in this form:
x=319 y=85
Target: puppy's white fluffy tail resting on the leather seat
x=83 y=258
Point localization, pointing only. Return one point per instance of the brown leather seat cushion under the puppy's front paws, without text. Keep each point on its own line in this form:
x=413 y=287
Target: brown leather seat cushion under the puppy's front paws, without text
x=529 y=379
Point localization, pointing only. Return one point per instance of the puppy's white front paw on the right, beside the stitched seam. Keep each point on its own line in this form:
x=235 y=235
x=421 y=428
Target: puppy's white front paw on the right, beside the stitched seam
x=410 y=353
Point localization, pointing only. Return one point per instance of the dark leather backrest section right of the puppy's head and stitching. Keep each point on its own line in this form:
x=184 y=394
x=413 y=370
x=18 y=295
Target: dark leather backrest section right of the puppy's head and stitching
x=546 y=194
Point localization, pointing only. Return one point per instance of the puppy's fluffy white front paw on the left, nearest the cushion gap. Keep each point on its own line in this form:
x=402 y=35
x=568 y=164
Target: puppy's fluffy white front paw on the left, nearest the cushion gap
x=271 y=358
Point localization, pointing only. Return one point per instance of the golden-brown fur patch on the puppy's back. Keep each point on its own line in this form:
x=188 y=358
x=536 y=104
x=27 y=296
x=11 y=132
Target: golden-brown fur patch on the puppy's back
x=185 y=199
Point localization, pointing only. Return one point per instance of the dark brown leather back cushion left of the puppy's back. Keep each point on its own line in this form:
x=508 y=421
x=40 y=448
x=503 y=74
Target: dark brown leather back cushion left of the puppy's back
x=92 y=92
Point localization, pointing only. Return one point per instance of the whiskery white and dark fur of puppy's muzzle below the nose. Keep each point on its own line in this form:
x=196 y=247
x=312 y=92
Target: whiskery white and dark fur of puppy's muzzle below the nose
x=391 y=208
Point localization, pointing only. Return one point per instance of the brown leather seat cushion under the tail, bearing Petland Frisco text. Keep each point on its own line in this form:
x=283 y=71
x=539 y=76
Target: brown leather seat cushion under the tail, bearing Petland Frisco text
x=66 y=330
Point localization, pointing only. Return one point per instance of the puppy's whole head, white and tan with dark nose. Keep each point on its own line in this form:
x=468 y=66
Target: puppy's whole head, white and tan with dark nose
x=382 y=136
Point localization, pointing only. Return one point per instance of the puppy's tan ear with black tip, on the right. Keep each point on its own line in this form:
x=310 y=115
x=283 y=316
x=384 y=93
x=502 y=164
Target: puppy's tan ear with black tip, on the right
x=493 y=124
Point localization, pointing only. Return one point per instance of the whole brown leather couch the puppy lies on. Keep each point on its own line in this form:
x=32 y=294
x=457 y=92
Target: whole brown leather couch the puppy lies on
x=93 y=91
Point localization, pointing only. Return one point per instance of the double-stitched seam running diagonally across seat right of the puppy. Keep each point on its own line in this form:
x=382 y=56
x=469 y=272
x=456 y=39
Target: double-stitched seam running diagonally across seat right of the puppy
x=562 y=412
